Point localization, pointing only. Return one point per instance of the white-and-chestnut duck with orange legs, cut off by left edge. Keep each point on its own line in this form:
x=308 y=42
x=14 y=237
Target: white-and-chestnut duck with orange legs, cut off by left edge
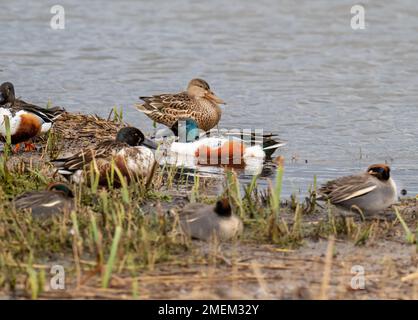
x=27 y=121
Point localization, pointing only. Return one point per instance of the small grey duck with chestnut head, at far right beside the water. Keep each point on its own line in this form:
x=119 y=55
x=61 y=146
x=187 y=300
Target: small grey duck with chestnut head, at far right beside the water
x=371 y=192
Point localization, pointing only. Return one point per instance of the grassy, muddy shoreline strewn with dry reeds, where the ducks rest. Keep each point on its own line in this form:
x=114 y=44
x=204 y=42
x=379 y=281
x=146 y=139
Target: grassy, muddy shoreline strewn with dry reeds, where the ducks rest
x=281 y=255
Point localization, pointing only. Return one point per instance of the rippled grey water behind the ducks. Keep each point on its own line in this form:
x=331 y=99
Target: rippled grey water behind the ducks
x=342 y=98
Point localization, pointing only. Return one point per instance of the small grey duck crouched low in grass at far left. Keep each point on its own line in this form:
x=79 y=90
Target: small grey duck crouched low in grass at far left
x=56 y=199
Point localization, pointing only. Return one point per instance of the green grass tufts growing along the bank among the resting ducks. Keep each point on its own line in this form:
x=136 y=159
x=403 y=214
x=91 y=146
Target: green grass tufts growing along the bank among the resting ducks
x=125 y=230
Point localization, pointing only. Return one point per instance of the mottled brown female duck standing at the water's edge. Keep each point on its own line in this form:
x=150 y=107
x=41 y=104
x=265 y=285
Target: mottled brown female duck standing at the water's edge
x=198 y=102
